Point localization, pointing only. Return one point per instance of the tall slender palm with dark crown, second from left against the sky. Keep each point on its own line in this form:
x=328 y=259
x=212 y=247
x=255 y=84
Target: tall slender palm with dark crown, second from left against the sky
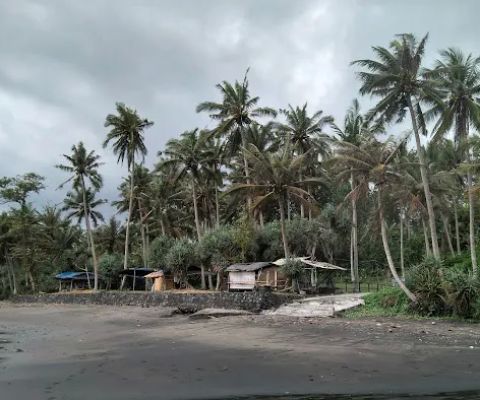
x=126 y=133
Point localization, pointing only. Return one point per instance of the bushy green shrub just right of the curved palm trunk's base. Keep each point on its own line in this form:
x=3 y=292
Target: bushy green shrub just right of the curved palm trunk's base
x=425 y=280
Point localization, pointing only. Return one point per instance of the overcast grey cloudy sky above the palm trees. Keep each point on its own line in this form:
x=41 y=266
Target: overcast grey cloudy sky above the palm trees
x=64 y=64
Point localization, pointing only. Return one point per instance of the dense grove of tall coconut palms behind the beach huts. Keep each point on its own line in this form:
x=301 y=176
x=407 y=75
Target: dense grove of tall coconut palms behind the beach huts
x=336 y=190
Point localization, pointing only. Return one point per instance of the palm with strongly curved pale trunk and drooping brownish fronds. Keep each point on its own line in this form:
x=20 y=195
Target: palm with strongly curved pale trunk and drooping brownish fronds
x=372 y=163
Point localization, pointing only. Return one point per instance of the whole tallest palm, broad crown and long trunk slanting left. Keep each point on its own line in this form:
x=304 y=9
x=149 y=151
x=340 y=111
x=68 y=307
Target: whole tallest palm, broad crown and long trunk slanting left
x=395 y=76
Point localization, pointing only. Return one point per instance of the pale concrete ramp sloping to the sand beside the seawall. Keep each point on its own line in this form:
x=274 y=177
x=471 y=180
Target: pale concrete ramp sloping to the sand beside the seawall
x=321 y=306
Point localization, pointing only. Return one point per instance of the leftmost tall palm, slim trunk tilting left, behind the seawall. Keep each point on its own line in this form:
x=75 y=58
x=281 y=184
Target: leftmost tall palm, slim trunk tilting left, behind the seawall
x=83 y=166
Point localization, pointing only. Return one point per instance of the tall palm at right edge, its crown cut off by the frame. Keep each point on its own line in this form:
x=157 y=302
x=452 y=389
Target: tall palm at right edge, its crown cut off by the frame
x=458 y=78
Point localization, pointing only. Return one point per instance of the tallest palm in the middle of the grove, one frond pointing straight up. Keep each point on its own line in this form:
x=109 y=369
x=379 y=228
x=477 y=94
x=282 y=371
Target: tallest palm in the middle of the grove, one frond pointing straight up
x=235 y=113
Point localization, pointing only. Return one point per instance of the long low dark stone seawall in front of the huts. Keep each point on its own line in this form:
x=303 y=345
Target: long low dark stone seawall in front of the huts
x=184 y=301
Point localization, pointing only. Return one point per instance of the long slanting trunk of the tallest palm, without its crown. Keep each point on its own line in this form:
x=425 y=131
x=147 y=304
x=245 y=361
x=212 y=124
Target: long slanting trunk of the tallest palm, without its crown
x=426 y=185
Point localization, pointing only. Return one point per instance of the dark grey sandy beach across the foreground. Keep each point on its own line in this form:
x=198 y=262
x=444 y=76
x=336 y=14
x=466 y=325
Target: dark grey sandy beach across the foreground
x=84 y=352
